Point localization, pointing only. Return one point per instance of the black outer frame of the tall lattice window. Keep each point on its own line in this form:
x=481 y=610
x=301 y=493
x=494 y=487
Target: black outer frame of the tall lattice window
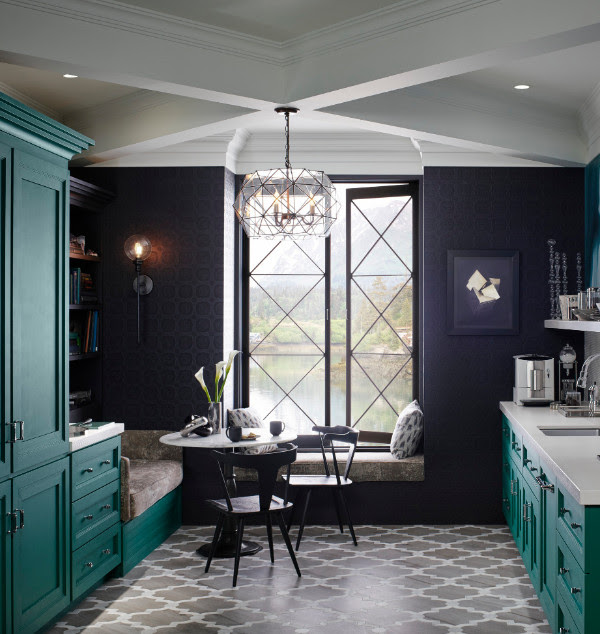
x=242 y=299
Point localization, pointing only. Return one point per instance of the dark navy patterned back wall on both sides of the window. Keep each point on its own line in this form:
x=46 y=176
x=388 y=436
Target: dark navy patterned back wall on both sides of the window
x=181 y=210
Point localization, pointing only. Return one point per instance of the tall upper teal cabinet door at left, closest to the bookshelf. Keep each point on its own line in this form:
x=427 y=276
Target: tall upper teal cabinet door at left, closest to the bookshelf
x=39 y=309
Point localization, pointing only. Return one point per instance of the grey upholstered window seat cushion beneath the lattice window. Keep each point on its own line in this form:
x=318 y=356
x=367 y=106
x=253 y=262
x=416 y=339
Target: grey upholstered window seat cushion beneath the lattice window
x=368 y=466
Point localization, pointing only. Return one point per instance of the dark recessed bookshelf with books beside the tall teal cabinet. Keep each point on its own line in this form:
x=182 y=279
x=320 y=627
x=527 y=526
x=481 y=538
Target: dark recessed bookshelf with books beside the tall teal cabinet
x=85 y=298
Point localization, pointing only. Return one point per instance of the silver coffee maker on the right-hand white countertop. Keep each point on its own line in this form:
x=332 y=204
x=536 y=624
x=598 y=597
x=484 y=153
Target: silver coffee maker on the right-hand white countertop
x=534 y=379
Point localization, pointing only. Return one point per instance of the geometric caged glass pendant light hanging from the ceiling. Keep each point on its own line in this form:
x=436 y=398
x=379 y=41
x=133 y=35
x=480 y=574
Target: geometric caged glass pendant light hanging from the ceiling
x=286 y=202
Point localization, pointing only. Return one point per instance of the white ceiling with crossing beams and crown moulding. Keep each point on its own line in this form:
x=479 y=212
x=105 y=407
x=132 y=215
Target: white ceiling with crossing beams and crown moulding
x=382 y=87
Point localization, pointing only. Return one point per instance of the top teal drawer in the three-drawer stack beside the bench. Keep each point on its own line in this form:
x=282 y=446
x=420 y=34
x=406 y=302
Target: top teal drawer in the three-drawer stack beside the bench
x=95 y=466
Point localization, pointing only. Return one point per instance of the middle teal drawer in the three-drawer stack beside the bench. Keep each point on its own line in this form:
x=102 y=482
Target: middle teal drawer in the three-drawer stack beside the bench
x=94 y=513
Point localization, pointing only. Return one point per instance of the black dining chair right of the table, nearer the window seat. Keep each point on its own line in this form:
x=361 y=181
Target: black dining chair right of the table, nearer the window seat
x=335 y=482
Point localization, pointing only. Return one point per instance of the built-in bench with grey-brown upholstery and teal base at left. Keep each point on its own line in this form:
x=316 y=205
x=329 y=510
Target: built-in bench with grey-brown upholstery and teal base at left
x=151 y=476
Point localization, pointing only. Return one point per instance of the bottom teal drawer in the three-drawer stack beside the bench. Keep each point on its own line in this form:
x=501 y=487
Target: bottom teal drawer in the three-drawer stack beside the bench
x=97 y=558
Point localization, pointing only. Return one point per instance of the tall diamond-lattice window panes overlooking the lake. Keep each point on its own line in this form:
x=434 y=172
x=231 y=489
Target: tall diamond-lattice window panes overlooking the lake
x=330 y=326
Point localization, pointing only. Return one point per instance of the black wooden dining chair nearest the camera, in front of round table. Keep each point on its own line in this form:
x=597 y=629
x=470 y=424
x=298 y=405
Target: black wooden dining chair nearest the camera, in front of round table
x=264 y=504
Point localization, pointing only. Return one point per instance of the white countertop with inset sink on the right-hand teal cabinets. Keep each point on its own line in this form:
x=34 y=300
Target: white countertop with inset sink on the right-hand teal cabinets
x=574 y=459
